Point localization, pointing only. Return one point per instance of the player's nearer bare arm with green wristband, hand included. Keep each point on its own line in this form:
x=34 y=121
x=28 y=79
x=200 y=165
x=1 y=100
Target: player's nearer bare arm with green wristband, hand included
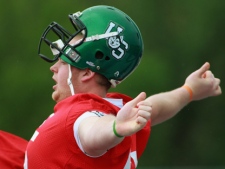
x=98 y=134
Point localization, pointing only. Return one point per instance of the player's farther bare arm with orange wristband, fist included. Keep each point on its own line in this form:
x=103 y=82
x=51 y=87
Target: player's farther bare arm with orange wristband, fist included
x=198 y=85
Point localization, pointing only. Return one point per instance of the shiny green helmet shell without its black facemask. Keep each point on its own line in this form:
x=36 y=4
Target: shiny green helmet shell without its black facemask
x=113 y=57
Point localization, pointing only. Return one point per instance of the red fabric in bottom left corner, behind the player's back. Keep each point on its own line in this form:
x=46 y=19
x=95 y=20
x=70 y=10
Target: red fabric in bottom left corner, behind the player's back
x=12 y=151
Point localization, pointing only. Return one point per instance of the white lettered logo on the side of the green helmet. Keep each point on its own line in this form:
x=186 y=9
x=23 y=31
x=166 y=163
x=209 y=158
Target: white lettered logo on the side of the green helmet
x=115 y=42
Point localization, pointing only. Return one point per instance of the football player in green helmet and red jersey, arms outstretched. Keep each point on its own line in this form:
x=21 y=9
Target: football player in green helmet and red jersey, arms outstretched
x=91 y=128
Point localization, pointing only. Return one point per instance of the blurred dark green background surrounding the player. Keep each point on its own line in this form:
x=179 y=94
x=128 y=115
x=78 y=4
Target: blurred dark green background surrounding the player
x=179 y=36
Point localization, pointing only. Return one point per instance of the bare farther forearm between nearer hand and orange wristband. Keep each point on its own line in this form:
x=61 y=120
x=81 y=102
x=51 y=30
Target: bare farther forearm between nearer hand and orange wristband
x=166 y=105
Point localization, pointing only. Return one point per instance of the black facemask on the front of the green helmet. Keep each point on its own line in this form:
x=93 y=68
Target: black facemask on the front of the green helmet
x=58 y=39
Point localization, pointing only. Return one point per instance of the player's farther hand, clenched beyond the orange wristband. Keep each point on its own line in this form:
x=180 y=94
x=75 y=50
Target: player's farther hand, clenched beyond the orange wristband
x=203 y=83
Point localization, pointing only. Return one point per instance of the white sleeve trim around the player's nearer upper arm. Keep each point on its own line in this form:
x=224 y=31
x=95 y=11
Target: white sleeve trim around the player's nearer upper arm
x=77 y=123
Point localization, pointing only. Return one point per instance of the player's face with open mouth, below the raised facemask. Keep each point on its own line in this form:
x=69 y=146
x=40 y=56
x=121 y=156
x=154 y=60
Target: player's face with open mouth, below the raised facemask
x=60 y=76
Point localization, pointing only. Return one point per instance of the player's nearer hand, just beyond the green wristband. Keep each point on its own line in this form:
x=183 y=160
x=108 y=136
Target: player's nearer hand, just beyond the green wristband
x=133 y=116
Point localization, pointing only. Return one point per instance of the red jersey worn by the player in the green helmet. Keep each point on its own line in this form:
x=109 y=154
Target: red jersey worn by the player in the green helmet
x=54 y=146
